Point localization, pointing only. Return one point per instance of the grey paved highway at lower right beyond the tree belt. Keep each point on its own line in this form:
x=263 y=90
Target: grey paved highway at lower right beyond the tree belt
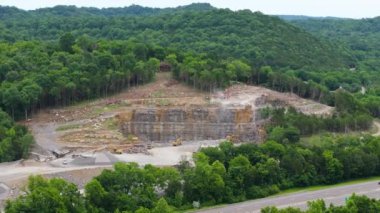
x=334 y=195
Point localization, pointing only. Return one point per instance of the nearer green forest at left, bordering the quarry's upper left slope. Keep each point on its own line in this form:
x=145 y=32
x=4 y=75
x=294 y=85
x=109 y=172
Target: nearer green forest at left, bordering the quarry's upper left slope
x=37 y=74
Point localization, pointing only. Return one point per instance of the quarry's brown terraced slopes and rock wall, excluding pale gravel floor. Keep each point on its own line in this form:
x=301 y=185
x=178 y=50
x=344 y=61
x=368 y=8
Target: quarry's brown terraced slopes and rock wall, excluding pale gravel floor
x=161 y=112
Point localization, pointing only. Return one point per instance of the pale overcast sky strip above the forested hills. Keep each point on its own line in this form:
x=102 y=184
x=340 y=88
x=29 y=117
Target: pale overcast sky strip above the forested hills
x=338 y=8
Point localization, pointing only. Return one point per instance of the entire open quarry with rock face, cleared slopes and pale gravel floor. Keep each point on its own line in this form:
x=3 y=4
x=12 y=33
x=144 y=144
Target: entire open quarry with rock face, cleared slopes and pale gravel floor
x=139 y=125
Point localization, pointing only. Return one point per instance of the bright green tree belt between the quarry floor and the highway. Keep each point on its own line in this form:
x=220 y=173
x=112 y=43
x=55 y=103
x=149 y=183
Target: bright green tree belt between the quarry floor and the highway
x=223 y=174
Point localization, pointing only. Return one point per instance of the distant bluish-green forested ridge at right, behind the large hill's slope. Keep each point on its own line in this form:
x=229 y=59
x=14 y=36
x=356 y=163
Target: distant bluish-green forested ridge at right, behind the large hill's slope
x=361 y=37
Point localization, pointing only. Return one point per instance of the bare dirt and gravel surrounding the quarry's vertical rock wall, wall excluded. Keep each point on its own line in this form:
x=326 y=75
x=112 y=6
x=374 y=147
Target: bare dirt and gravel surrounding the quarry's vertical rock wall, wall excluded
x=86 y=133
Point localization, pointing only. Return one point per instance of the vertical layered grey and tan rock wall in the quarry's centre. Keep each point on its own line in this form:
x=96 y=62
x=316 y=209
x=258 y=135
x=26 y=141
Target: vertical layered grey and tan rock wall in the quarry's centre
x=192 y=123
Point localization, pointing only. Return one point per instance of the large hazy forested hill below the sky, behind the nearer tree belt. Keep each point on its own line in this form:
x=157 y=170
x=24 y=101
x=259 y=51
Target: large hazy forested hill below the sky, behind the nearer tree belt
x=257 y=38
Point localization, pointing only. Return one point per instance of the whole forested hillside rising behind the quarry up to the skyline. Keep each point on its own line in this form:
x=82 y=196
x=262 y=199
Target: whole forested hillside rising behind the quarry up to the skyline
x=62 y=55
